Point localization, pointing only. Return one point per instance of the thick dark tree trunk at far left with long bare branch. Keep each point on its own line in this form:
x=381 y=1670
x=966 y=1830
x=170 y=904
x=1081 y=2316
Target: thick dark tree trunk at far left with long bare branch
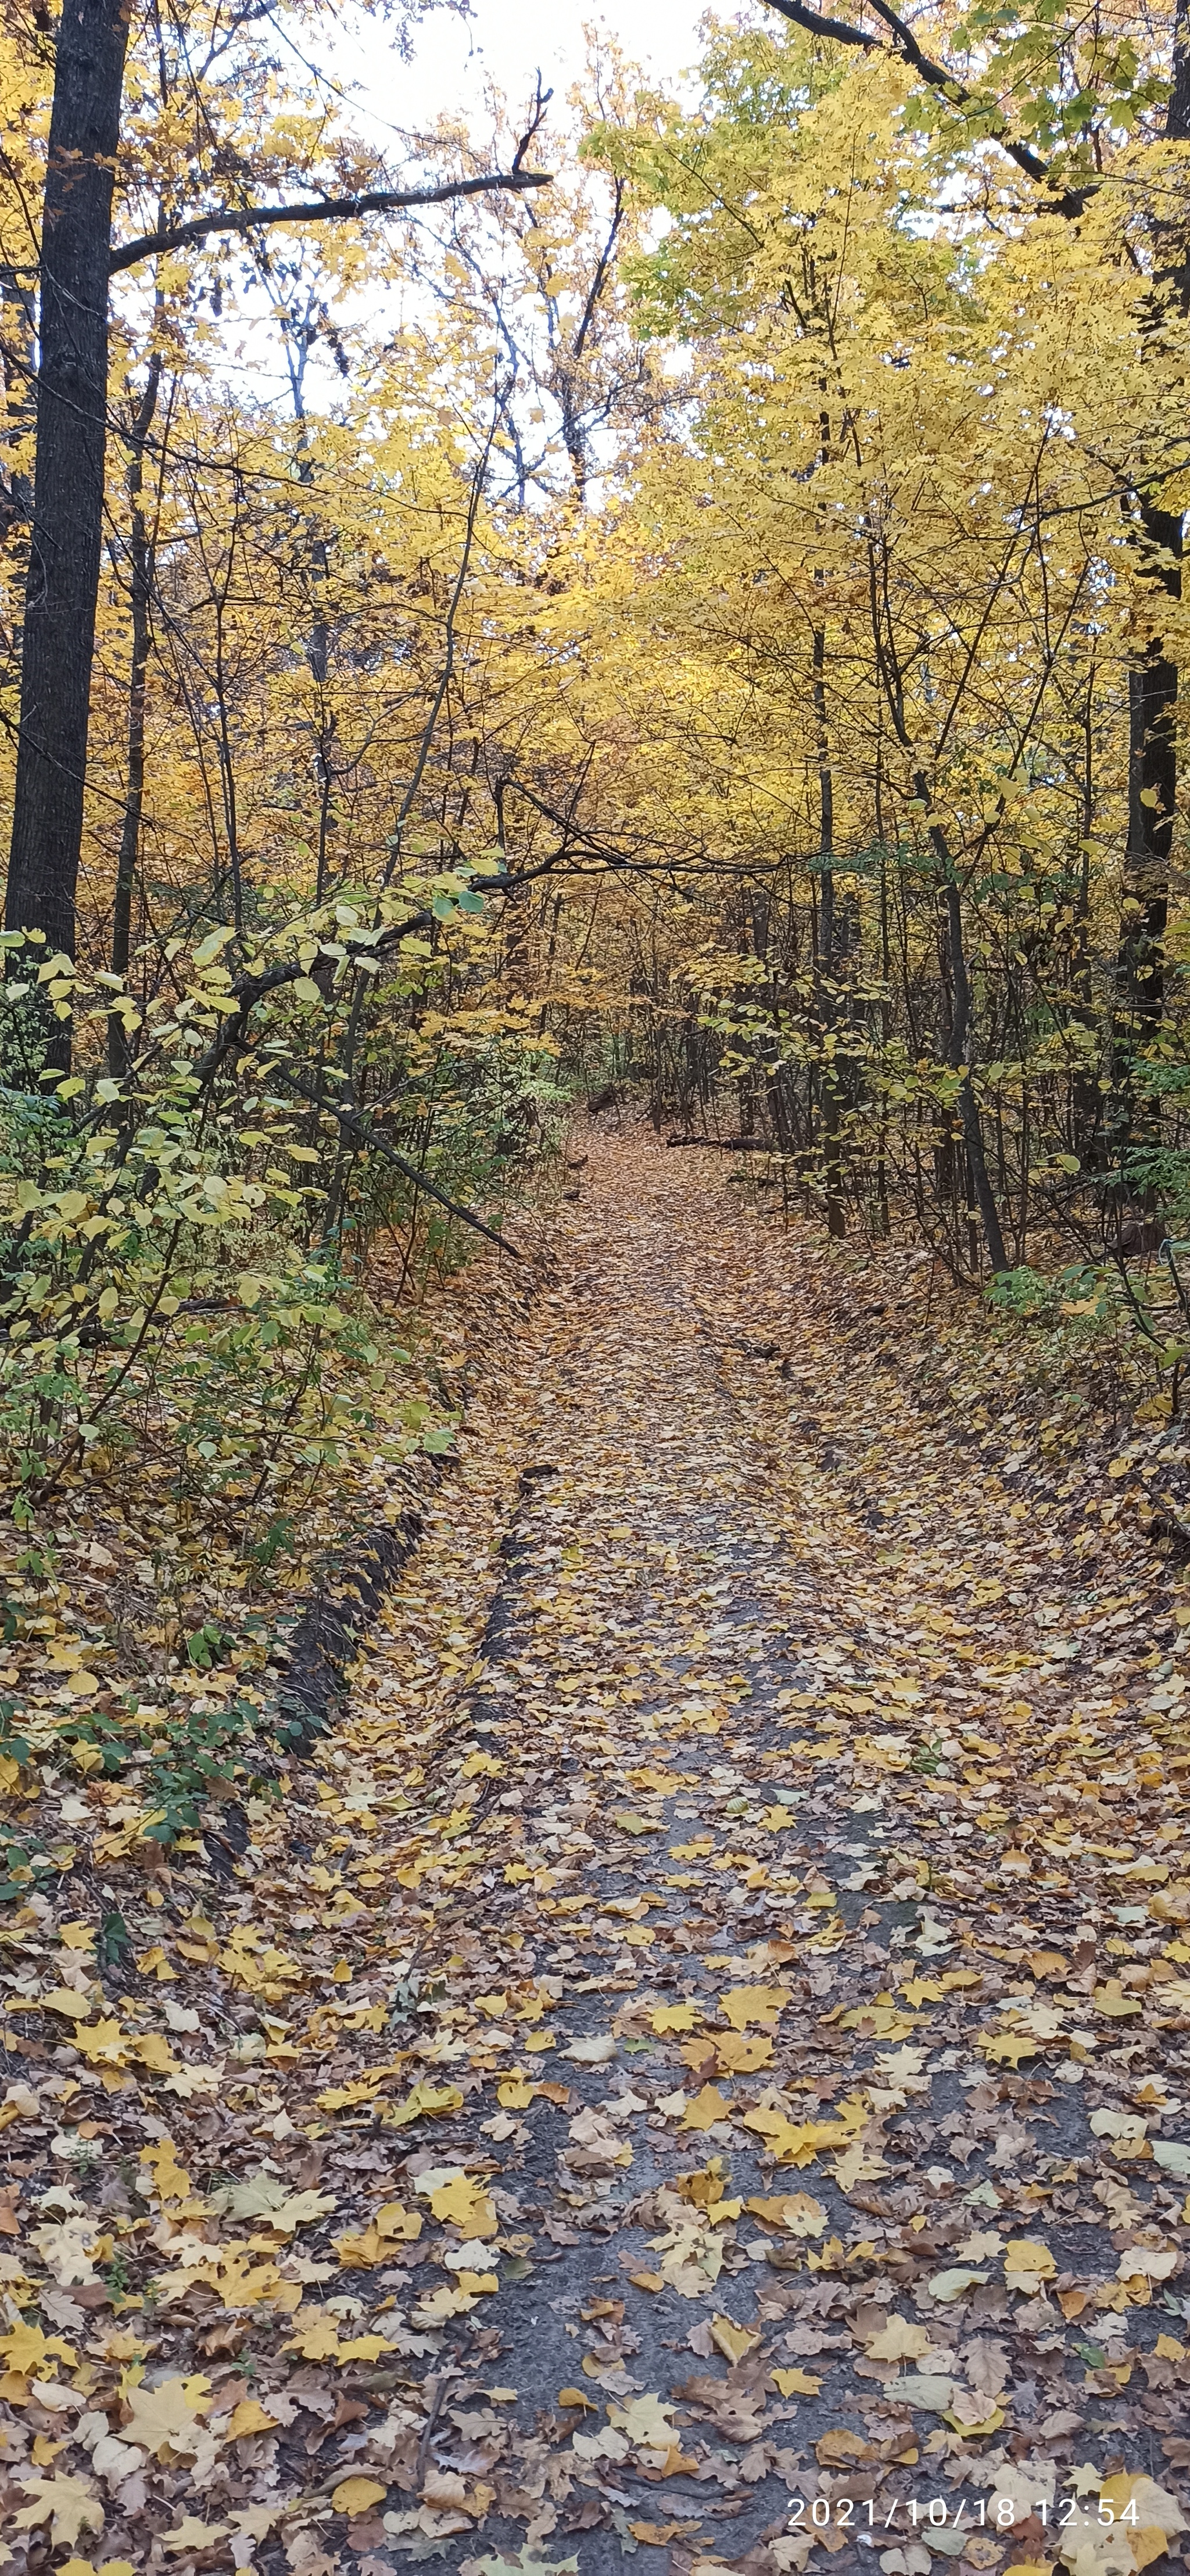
x=68 y=483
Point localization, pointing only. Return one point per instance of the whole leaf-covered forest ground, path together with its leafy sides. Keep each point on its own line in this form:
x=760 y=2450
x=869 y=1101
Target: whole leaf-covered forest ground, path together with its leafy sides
x=697 y=2062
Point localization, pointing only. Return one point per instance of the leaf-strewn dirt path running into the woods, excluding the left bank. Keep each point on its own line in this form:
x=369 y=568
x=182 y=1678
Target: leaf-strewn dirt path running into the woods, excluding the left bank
x=777 y=2005
